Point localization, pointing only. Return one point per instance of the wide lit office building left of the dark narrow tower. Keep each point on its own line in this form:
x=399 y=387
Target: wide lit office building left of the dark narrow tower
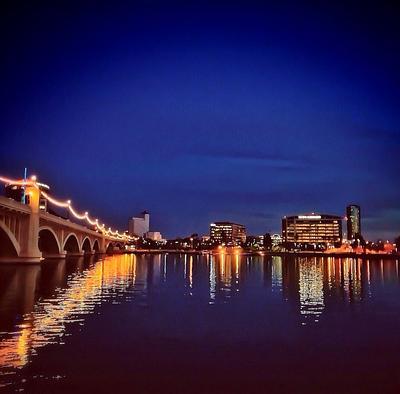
x=312 y=229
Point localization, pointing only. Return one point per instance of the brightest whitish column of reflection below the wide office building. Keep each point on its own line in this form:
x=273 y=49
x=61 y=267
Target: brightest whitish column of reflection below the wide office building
x=311 y=284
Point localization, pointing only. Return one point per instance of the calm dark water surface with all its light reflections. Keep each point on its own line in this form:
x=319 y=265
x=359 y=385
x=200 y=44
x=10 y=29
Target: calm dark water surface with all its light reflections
x=200 y=324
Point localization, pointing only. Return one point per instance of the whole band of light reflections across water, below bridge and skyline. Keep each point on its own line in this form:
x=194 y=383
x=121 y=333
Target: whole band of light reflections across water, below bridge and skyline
x=38 y=303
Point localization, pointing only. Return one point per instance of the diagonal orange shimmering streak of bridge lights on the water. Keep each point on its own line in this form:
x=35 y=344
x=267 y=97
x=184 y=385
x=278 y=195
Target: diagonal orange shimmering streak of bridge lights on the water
x=45 y=322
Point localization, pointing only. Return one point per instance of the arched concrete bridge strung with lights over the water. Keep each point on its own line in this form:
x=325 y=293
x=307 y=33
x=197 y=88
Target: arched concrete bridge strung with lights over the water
x=28 y=234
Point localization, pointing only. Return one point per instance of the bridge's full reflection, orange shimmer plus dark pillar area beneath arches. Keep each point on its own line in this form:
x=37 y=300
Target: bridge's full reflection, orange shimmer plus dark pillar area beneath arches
x=44 y=321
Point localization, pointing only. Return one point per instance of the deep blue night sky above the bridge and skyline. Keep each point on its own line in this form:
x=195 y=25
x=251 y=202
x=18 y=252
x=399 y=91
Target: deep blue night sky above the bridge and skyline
x=206 y=111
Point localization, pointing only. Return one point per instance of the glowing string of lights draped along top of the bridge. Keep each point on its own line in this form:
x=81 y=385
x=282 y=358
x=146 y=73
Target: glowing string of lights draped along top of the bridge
x=68 y=205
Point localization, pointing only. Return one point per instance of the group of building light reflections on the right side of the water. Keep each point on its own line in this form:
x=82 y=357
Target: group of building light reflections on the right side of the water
x=311 y=285
